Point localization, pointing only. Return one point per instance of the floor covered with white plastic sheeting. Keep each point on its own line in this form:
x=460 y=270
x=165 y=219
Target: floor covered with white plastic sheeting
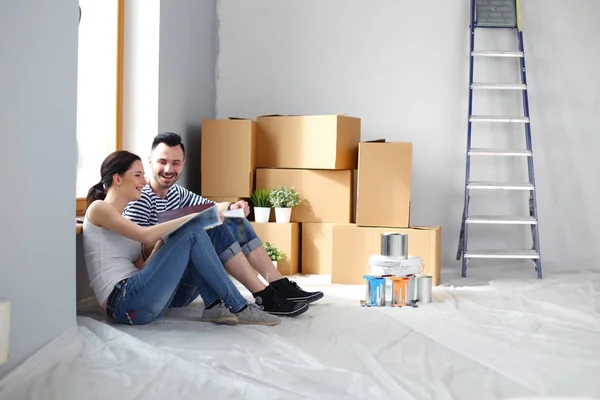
x=498 y=334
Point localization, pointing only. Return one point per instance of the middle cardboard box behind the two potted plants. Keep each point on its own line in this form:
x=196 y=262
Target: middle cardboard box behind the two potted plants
x=326 y=194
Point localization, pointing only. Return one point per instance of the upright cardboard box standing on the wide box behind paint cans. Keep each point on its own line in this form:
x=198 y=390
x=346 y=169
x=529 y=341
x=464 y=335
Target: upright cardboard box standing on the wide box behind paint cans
x=384 y=183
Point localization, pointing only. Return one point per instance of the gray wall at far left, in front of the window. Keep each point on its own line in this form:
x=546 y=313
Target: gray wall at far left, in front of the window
x=38 y=49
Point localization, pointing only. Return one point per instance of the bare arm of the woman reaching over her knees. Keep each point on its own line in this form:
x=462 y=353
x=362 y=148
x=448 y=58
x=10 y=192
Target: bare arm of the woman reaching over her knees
x=103 y=214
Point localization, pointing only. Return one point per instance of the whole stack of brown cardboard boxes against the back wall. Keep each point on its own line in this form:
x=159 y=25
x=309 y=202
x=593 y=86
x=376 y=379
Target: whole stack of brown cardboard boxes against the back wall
x=352 y=191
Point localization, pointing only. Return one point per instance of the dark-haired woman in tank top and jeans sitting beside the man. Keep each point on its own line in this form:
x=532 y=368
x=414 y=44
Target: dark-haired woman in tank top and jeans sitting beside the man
x=134 y=291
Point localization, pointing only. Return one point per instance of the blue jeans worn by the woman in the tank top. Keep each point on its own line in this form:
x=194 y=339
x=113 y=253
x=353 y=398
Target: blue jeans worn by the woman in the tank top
x=185 y=265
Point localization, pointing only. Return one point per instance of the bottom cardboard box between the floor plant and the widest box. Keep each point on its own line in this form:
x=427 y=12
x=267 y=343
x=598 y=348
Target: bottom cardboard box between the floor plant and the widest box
x=317 y=247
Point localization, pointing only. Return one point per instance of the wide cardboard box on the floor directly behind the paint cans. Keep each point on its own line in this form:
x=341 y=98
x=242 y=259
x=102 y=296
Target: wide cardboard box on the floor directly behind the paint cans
x=353 y=245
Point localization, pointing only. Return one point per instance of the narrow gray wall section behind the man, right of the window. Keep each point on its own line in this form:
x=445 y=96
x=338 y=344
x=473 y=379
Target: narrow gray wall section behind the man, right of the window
x=188 y=46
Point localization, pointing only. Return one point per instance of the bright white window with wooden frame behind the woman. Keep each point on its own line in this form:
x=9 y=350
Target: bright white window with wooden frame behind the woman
x=99 y=89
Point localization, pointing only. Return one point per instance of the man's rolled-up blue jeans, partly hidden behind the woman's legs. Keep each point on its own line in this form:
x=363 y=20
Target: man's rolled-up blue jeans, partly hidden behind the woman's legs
x=228 y=239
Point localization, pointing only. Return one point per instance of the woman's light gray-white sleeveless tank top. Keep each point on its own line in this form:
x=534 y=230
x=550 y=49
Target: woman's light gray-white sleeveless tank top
x=109 y=258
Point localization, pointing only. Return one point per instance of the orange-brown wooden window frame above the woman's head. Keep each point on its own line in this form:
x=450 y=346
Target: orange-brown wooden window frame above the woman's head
x=80 y=205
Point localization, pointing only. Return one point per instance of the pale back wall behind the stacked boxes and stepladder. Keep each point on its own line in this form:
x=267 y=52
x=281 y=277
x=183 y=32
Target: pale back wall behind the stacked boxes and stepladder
x=402 y=66
